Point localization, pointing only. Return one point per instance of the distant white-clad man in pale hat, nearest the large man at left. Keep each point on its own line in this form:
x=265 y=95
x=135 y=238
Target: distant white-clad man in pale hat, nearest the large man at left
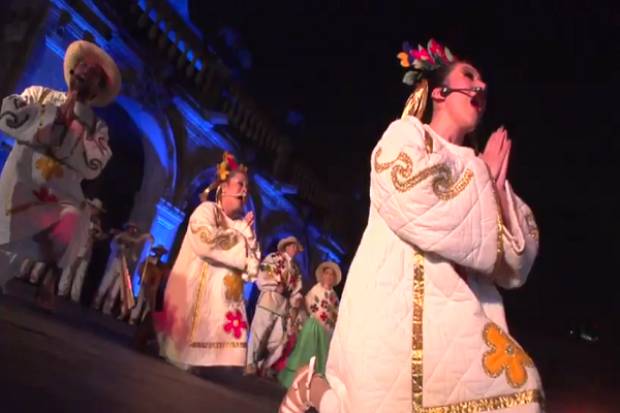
x=72 y=279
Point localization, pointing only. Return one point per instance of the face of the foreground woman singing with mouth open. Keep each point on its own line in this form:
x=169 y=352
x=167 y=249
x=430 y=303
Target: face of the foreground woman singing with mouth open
x=465 y=107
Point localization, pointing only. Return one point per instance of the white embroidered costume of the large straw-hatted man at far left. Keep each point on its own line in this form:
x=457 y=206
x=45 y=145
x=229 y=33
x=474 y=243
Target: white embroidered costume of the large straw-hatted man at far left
x=40 y=182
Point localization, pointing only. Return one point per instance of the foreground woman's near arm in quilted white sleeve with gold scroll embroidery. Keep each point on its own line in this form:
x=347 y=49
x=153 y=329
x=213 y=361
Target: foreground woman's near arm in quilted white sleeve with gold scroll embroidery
x=434 y=200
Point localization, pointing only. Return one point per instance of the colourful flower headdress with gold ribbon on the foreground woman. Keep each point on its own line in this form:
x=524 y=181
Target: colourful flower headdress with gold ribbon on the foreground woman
x=421 y=62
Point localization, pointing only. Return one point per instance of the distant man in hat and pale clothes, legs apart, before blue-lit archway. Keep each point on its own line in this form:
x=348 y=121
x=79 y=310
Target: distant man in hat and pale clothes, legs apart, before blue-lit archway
x=116 y=284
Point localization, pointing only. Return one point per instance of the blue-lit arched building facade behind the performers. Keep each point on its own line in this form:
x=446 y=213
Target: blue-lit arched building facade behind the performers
x=171 y=166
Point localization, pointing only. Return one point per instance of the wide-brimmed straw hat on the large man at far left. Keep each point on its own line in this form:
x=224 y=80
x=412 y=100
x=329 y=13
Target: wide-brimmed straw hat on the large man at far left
x=80 y=50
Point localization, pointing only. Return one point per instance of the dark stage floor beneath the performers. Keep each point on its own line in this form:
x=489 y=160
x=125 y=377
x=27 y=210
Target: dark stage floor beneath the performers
x=78 y=360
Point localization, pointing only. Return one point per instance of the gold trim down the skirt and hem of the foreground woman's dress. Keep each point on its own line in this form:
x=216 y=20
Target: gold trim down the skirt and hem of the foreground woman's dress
x=417 y=365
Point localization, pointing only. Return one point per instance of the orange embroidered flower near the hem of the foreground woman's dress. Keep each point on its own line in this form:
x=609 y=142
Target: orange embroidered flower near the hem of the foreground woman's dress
x=504 y=355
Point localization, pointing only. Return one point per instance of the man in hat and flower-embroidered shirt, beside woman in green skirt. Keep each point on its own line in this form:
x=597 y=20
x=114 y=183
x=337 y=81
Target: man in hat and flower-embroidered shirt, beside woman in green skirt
x=280 y=283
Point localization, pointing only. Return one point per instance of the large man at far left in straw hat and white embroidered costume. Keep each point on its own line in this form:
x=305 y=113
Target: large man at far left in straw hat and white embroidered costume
x=59 y=142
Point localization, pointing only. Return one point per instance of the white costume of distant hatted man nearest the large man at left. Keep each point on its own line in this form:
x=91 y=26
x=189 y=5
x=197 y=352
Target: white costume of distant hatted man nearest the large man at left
x=72 y=279
